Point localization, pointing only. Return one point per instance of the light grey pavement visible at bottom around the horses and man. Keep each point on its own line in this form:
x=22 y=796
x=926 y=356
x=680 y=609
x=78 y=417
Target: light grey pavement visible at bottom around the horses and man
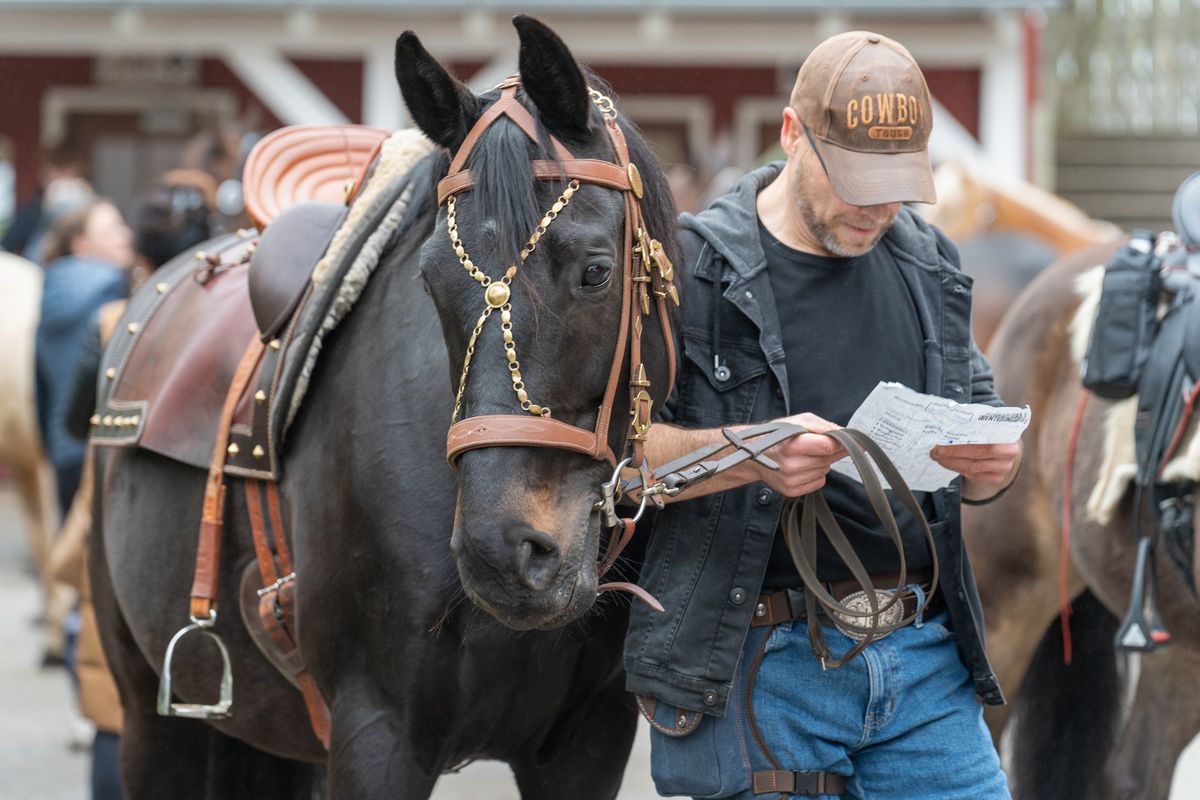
x=39 y=763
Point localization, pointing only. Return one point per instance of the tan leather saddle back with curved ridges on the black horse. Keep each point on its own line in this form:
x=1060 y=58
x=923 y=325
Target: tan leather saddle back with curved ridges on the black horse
x=307 y=163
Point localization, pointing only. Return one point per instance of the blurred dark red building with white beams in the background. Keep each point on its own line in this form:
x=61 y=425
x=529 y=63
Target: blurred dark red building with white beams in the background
x=133 y=88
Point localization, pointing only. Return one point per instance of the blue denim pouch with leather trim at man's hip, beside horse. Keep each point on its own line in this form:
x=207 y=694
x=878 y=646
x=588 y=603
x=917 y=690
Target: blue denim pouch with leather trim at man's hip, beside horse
x=695 y=755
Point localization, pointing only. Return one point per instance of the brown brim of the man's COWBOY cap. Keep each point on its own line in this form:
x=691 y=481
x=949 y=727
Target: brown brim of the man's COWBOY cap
x=879 y=178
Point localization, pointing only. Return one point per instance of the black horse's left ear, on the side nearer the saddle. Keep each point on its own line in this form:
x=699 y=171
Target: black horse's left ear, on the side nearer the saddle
x=441 y=106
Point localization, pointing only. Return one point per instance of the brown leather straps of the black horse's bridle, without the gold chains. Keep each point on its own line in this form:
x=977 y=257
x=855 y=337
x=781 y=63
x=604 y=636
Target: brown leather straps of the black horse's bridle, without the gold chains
x=646 y=272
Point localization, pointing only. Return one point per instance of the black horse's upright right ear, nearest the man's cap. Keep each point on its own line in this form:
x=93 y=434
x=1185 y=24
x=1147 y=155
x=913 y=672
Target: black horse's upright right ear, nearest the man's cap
x=551 y=79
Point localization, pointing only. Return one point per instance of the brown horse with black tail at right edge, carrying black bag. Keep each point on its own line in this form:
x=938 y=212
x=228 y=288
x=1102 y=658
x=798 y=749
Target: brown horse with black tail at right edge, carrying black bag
x=1077 y=735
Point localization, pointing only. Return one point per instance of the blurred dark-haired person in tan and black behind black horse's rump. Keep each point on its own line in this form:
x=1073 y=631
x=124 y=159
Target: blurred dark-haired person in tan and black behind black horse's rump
x=172 y=218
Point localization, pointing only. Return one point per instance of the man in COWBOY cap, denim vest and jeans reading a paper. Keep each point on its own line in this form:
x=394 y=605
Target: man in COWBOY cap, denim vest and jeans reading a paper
x=807 y=286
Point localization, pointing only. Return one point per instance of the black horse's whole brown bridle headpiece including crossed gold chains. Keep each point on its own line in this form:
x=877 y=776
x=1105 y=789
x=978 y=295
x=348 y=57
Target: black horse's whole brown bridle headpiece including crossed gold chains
x=647 y=272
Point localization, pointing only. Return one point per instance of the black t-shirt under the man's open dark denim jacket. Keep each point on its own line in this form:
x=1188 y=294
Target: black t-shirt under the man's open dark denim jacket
x=848 y=324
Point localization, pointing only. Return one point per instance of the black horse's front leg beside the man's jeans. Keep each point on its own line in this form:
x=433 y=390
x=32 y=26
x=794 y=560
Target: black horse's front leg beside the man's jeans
x=585 y=759
